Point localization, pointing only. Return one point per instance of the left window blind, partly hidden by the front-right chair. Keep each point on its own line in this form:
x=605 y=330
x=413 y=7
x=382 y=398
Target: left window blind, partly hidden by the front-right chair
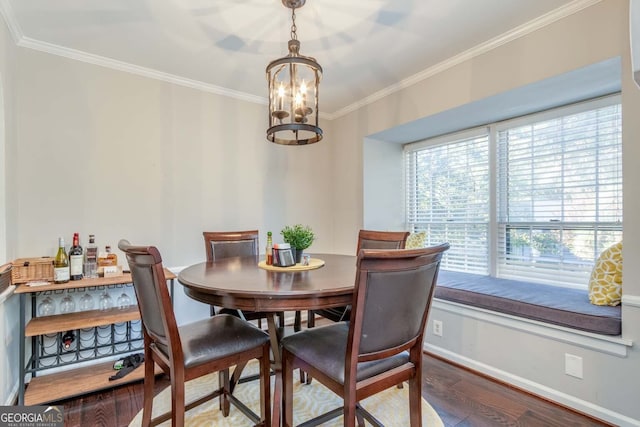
x=447 y=195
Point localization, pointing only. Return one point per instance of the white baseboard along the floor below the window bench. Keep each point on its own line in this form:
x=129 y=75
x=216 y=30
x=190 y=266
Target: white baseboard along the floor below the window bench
x=532 y=387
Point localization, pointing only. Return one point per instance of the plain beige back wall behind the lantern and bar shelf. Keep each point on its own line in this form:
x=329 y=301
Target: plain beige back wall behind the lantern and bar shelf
x=118 y=155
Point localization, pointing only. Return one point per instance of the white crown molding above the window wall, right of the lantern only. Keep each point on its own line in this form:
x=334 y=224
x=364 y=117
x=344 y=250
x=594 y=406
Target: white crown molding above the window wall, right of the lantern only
x=529 y=27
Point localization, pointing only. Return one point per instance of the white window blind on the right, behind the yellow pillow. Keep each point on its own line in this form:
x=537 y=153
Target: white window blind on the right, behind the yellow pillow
x=559 y=195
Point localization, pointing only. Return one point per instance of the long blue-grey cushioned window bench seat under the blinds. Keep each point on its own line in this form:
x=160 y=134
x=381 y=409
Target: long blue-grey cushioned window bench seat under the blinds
x=552 y=304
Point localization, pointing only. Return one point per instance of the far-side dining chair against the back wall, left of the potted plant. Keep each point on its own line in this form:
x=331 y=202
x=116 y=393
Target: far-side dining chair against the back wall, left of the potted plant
x=228 y=244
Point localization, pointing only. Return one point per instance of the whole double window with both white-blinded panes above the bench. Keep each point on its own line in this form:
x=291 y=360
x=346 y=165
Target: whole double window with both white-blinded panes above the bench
x=557 y=201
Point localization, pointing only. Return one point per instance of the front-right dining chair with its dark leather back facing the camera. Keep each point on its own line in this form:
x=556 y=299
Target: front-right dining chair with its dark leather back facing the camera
x=380 y=346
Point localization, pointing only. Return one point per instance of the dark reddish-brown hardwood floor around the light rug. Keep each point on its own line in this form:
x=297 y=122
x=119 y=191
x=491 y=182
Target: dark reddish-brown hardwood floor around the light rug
x=461 y=398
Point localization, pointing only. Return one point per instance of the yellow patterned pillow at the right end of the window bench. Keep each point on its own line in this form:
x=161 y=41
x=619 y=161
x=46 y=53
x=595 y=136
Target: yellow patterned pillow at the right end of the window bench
x=605 y=284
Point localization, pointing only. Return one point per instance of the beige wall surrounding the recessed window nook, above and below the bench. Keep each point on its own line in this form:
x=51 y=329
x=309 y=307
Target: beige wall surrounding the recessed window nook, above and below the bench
x=528 y=355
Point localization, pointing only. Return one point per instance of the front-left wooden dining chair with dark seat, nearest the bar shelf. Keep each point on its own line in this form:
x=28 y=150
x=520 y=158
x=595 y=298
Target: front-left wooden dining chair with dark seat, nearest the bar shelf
x=190 y=351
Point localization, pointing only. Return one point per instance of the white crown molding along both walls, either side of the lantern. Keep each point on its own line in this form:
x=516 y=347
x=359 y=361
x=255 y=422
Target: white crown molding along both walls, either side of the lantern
x=531 y=26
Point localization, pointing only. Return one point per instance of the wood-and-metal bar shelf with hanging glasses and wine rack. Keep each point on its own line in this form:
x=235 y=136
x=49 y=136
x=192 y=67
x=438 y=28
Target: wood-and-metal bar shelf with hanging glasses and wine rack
x=99 y=334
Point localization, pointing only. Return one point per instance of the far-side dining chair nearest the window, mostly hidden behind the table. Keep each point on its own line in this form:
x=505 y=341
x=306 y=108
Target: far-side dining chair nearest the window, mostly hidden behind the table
x=367 y=239
